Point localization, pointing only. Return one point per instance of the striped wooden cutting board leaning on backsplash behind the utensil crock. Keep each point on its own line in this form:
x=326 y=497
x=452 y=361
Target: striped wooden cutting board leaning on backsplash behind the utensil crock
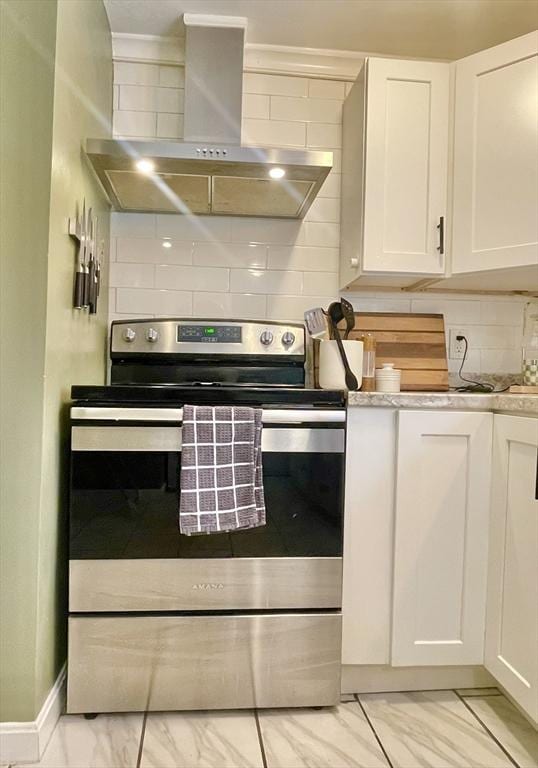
x=415 y=343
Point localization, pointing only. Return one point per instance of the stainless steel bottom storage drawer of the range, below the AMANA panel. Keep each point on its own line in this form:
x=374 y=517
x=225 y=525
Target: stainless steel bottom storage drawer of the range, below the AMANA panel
x=136 y=663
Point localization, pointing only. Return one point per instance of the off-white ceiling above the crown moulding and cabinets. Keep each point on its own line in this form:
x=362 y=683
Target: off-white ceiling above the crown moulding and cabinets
x=445 y=29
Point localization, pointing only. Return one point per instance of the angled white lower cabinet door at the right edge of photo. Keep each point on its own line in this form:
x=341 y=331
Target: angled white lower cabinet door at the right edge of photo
x=512 y=605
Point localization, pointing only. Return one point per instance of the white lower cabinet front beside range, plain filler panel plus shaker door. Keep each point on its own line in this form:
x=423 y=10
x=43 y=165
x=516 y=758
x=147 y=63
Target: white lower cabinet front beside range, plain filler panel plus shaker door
x=415 y=537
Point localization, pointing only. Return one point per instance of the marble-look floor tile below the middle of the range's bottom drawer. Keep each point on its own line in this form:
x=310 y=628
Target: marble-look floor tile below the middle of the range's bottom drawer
x=201 y=740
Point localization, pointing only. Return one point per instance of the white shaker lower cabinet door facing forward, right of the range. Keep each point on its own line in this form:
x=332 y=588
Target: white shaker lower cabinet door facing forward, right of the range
x=440 y=553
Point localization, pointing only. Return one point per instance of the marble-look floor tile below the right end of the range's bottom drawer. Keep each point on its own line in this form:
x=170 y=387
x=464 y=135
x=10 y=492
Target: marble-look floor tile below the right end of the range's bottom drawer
x=339 y=737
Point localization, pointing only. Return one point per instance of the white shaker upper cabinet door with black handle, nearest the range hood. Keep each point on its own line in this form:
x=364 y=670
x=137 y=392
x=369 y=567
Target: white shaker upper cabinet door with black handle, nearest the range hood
x=406 y=166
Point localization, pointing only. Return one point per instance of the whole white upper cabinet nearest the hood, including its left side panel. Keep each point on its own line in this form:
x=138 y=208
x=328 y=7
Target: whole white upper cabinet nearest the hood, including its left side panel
x=394 y=175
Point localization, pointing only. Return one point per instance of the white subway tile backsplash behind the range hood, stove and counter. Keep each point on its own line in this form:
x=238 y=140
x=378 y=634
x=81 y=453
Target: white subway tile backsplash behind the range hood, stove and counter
x=256 y=267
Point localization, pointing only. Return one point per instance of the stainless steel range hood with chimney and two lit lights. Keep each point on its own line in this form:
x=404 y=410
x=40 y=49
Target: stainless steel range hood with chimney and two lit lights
x=210 y=172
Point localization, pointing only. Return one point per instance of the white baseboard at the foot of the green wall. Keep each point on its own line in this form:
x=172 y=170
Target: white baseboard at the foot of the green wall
x=26 y=742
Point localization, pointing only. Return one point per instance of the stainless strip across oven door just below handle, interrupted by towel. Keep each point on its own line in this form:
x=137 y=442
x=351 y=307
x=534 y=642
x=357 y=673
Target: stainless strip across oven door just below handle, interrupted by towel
x=153 y=438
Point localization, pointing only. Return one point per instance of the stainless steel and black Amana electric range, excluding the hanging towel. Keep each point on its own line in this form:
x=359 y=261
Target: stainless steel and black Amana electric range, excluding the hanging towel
x=162 y=621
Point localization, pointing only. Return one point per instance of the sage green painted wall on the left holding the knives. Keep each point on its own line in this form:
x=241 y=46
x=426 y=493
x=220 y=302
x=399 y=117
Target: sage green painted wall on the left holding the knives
x=63 y=50
